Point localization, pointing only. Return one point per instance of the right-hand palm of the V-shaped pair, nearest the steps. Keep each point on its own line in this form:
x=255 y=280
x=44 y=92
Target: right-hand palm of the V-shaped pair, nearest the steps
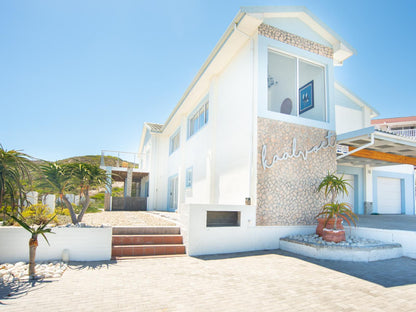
x=86 y=176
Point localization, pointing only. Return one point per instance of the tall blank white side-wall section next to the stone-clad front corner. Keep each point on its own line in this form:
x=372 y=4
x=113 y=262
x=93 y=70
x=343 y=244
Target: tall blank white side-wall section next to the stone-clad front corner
x=234 y=129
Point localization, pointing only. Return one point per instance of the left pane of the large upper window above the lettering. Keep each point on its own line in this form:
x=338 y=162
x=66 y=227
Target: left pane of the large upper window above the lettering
x=281 y=84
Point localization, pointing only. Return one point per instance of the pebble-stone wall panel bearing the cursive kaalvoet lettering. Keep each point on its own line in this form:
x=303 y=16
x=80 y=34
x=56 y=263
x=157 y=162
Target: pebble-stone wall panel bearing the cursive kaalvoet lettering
x=291 y=161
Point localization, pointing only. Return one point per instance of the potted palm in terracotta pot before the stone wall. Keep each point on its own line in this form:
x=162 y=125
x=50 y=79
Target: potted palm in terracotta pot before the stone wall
x=333 y=213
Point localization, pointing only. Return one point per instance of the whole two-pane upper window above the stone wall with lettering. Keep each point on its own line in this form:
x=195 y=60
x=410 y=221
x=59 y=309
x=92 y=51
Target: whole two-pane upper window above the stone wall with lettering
x=296 y=87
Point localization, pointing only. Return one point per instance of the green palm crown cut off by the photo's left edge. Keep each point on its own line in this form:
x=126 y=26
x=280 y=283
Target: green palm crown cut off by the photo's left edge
x=14 y=172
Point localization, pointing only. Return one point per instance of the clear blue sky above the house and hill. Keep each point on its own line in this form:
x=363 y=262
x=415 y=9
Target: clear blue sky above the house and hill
x=78 y=77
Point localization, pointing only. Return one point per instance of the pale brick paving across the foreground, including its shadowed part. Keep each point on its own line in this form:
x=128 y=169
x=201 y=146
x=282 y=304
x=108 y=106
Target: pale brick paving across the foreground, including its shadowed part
x=255 y=281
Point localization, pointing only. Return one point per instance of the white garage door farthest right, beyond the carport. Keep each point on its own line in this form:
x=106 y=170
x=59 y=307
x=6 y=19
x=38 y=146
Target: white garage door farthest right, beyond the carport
x=389 y=196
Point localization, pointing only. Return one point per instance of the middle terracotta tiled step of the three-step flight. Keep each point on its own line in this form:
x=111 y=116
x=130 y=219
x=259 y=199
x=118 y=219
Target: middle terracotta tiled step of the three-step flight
x=146 y=239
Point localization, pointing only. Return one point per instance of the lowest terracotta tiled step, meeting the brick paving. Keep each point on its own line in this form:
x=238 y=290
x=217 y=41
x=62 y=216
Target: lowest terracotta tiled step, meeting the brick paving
x=147 y=250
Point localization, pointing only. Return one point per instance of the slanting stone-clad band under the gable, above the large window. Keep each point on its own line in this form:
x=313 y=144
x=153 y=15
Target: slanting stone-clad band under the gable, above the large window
x=294 y=40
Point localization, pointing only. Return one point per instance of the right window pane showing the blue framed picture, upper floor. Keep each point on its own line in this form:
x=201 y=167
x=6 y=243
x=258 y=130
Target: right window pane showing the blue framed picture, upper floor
x=316 y=107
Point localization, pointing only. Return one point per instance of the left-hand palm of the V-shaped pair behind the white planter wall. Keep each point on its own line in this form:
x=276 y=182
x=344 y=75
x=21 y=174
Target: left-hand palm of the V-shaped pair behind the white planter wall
x=56 y=178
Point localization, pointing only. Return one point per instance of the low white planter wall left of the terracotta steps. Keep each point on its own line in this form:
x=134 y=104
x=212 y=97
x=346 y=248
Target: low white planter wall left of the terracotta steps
x=83 y=244
